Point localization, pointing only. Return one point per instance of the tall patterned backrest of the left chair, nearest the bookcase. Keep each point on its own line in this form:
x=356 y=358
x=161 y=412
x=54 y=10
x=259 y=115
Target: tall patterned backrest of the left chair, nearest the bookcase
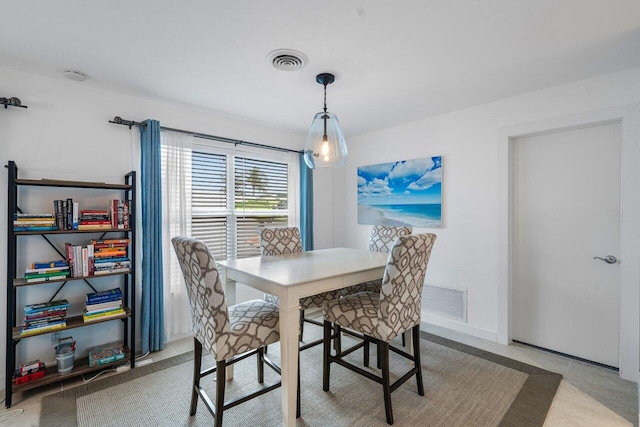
x=209 y=312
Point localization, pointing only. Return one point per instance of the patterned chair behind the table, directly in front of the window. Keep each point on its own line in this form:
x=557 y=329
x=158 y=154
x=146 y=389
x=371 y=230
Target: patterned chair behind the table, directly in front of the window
x=287 y=240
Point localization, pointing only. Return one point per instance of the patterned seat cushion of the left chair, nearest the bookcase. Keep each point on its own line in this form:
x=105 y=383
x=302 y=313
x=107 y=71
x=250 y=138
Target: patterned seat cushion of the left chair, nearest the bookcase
x=252 y=324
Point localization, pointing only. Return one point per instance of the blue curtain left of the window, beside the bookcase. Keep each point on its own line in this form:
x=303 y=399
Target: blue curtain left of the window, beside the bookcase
x=152 y=305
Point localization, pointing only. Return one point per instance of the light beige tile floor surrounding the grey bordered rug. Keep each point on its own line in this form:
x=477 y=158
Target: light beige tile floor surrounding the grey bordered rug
x=588 y=395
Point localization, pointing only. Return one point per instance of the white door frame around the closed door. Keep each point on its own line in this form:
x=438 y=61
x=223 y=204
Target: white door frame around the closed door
x=629 y=118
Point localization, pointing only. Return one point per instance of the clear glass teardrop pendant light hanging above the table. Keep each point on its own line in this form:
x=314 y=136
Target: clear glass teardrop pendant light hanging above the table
x=325 y=147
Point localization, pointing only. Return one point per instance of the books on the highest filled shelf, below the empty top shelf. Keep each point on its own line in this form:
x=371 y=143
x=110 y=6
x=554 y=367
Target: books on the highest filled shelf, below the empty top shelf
x=68 y=216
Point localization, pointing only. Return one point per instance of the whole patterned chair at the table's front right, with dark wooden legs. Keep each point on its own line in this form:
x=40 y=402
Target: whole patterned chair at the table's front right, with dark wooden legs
x=385 y=315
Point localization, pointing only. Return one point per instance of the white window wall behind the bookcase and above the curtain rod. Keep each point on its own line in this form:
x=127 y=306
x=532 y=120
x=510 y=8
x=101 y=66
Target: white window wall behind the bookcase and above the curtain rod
x=65 y=134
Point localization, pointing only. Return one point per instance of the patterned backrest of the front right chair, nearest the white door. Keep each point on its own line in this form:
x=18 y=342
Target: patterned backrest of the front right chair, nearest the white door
x=401 y=292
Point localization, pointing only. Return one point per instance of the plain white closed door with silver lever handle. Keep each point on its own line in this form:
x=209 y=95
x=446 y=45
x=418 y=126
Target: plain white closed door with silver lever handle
x=566 y=213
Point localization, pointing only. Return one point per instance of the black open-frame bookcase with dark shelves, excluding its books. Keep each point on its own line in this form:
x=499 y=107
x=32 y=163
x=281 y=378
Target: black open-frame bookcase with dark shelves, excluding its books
x=17 y=284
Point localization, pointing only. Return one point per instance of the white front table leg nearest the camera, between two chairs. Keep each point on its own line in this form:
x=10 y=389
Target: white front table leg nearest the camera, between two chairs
x=289 y=329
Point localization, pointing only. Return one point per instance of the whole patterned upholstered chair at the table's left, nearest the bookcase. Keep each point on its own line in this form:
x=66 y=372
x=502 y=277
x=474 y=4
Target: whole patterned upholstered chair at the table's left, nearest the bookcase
x=224 y=331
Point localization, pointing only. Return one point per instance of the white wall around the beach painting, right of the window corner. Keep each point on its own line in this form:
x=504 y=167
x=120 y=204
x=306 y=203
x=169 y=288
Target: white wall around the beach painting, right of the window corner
x=466 y=255
